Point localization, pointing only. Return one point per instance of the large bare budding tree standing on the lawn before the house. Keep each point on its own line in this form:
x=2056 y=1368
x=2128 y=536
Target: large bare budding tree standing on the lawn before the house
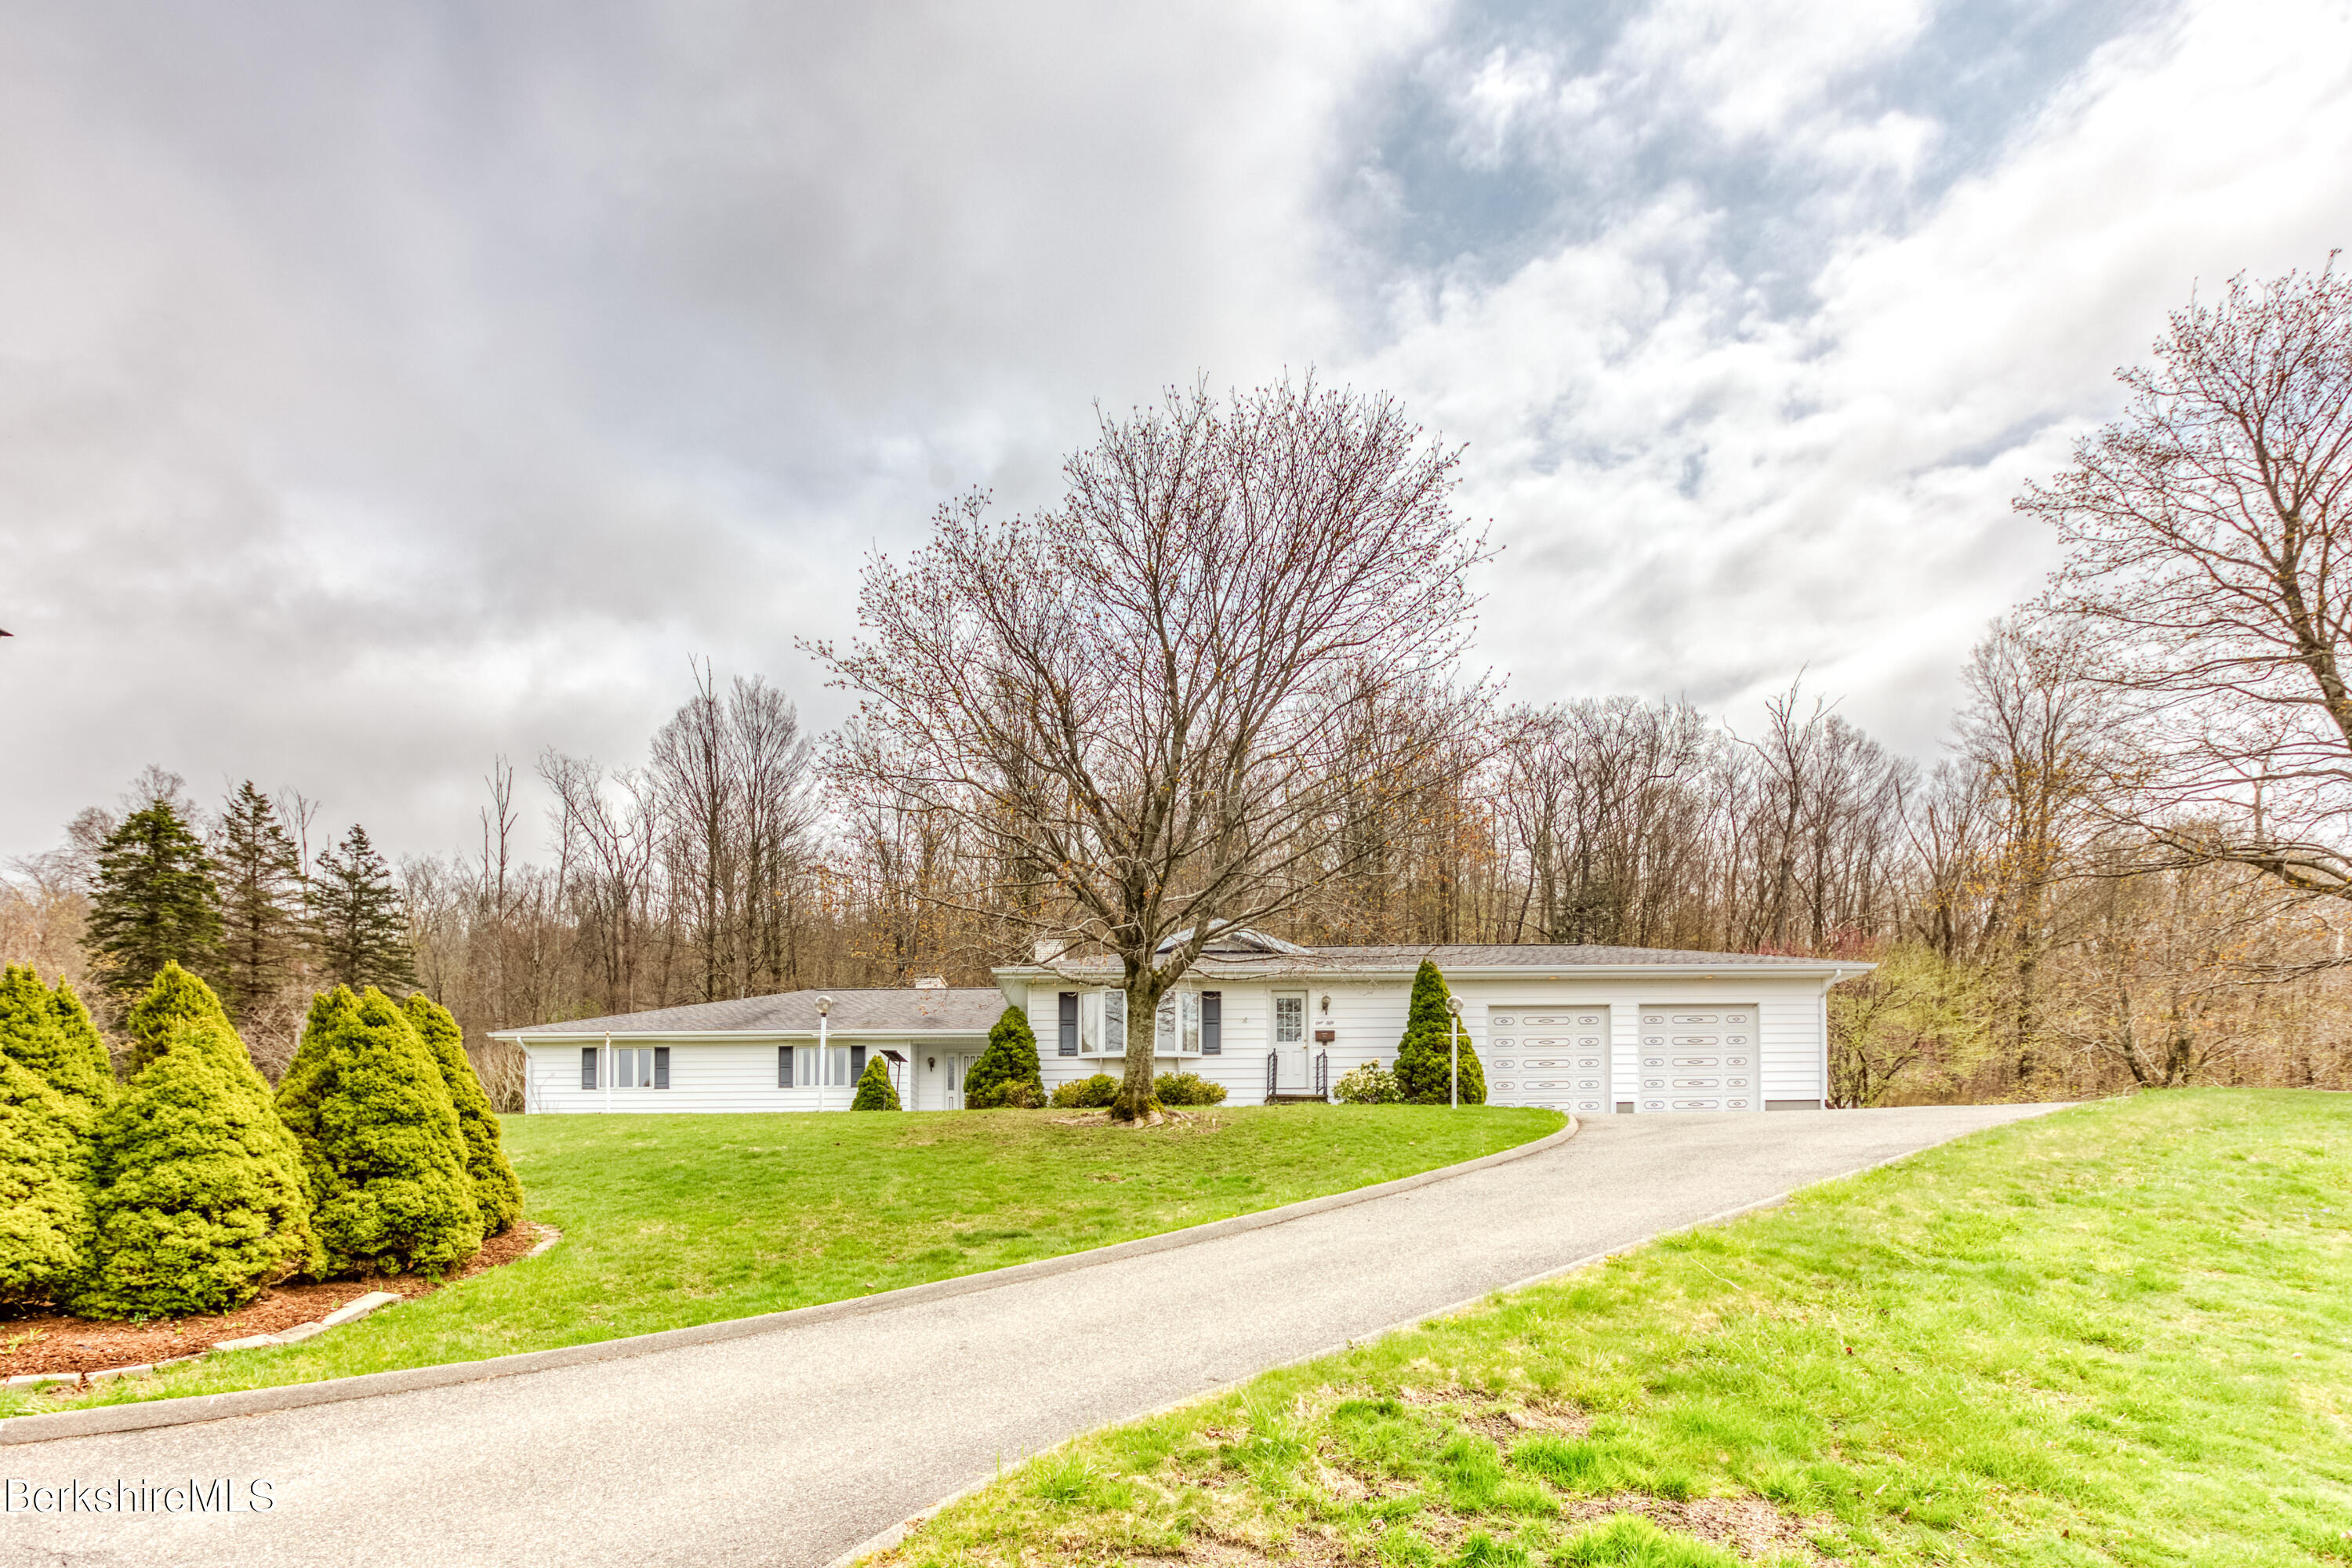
x=1142 y=697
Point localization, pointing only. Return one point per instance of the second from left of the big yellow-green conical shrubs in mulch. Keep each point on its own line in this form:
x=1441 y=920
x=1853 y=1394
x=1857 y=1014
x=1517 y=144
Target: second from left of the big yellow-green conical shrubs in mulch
x=196 y=1188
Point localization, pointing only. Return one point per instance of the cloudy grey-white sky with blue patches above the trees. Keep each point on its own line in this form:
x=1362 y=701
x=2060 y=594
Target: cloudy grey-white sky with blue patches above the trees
x=385 y=389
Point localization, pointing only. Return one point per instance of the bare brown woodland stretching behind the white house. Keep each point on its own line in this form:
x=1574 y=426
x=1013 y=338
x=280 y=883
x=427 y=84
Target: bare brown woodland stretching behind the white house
x=2024 y=944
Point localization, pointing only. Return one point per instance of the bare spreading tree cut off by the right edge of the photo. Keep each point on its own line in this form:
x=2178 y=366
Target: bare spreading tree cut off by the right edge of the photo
x=2205 y=565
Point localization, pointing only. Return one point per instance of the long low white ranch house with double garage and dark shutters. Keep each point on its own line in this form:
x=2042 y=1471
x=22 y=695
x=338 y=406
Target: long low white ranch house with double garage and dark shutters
x=1591 y=1031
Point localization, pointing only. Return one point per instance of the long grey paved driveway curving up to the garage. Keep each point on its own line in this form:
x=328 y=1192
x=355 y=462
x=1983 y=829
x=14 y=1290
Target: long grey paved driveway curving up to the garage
x=794 y=1447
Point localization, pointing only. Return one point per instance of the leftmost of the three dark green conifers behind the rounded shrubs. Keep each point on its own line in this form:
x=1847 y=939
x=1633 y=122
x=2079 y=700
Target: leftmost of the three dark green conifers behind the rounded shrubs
x=152 y=902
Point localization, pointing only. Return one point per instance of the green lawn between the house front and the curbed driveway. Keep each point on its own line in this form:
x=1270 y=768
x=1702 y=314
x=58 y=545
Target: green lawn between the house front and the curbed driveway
x=674 y=1221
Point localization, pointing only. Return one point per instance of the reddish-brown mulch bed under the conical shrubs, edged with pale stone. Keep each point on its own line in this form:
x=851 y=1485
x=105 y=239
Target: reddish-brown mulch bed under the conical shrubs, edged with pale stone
x=41 y=1341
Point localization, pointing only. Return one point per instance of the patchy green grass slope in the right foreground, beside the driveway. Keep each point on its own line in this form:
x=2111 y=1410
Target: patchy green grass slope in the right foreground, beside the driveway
x=2109 y=1336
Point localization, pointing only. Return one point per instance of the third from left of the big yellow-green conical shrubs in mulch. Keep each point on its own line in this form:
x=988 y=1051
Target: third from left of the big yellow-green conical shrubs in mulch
x=380 y=1139
